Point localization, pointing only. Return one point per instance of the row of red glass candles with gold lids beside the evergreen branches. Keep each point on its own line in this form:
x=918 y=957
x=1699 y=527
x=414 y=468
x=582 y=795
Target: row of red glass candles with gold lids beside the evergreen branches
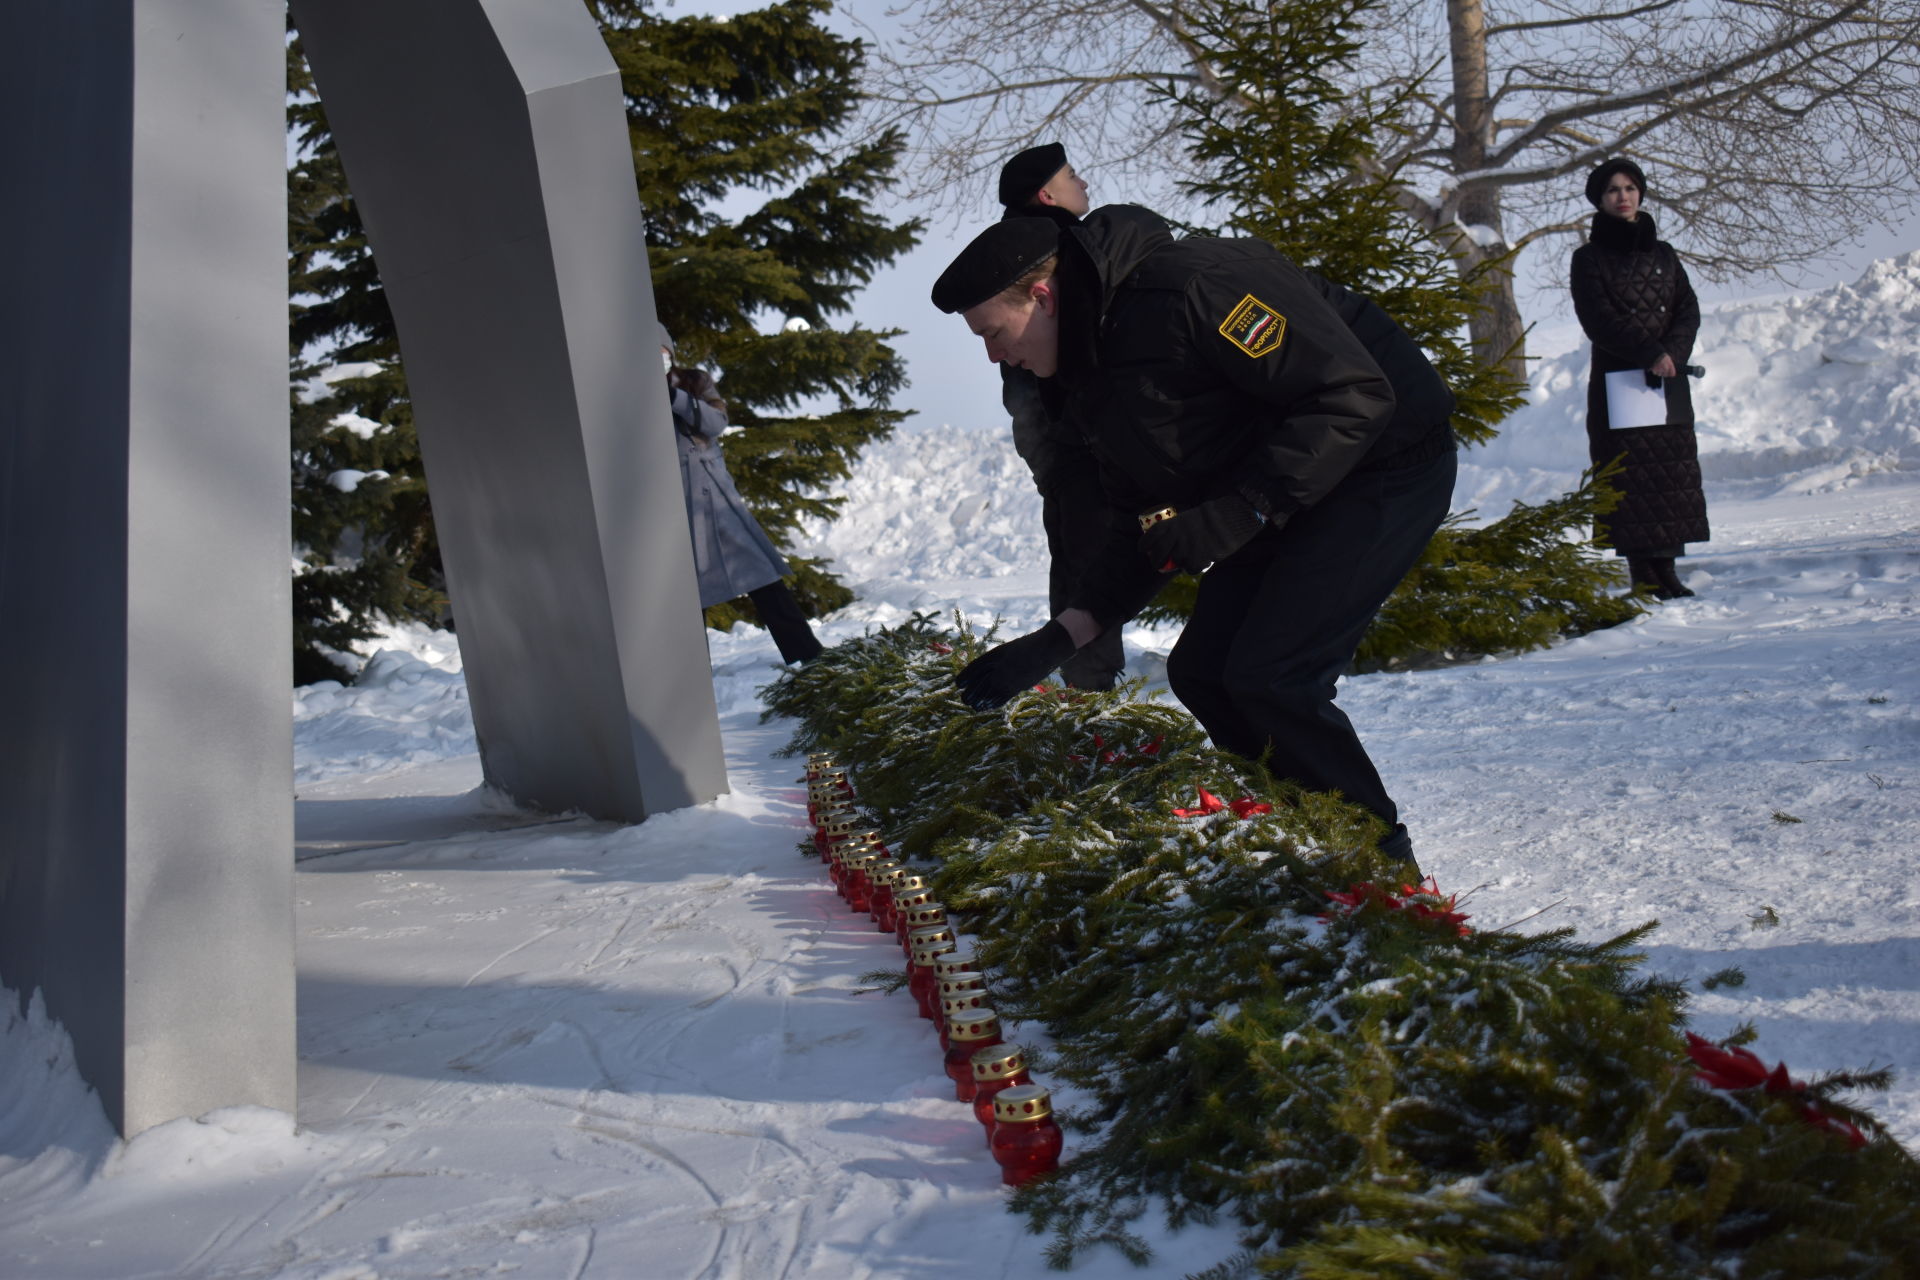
x=944 y=978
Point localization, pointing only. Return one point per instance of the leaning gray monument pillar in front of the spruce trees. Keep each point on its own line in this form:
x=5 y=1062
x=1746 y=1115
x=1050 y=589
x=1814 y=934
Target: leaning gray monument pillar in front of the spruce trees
x=487 y=149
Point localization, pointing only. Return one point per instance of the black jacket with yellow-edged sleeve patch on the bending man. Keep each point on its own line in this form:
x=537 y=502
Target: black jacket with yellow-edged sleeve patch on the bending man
x=1207 y=367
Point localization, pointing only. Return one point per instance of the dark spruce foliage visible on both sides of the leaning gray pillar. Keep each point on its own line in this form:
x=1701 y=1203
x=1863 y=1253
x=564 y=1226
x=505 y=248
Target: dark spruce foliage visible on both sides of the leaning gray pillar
x=721 y=112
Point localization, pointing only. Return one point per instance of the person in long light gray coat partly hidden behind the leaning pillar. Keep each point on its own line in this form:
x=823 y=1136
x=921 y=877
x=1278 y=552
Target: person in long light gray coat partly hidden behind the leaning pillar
x=732 y=554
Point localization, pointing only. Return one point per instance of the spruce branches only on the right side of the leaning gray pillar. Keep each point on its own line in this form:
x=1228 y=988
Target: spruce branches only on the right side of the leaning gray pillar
x=727 y=110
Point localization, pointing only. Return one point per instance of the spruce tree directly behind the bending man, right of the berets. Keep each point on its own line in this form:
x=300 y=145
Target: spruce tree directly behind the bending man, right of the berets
x=1293 y=160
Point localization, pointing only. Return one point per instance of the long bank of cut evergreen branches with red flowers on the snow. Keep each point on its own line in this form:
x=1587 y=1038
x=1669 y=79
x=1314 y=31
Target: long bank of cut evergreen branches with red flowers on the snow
x=1268 y=1026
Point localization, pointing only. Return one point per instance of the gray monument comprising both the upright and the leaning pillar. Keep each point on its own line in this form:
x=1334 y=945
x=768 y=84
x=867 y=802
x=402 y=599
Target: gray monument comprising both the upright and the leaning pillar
x=145 y=769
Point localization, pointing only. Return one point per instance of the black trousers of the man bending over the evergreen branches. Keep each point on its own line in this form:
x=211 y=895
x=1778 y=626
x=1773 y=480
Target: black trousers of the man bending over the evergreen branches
x=1280 y=621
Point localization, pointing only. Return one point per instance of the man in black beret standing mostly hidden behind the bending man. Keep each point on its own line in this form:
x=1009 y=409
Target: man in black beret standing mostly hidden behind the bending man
x=1042 y=183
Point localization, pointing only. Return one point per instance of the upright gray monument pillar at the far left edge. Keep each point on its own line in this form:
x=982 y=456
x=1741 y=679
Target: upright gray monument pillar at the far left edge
x=147 y=769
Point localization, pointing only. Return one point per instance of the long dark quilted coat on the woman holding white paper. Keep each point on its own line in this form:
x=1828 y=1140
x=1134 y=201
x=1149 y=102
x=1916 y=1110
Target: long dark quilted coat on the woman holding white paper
x=1637 y=304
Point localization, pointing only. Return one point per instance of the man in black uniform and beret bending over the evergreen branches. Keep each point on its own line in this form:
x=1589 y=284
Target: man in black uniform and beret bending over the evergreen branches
x=1249 y=421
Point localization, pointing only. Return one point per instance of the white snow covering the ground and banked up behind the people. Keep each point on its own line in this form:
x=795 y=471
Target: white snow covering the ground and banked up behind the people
x=569 y=1049
